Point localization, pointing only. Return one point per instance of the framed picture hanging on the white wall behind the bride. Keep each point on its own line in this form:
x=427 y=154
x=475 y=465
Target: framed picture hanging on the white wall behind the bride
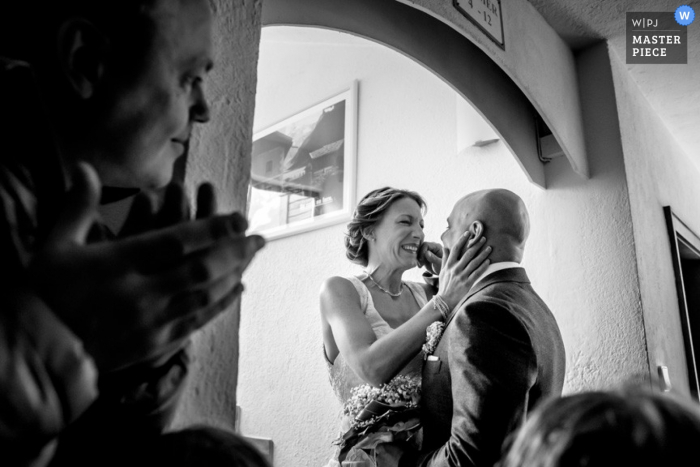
x=303 y=170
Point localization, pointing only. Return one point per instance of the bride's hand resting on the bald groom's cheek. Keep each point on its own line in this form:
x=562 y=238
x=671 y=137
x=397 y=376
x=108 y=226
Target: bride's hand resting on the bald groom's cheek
x=462 y=266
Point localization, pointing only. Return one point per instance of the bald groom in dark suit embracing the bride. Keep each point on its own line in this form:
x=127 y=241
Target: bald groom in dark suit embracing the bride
x=501 y=353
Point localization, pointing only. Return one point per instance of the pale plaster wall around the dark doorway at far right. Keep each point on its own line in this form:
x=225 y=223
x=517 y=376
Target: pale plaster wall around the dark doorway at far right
x=659 y=174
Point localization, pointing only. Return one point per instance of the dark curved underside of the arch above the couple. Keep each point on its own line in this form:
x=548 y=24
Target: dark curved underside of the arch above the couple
x=438 y=48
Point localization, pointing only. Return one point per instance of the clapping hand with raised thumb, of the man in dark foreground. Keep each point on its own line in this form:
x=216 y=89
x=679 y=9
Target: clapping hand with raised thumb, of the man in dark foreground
x=133 y=299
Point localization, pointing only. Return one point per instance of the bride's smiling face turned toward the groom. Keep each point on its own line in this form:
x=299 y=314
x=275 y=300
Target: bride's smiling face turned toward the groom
x=398 y=235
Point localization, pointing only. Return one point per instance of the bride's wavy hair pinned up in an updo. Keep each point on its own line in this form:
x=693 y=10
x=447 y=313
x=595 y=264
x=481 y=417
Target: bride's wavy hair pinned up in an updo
x=368 y=212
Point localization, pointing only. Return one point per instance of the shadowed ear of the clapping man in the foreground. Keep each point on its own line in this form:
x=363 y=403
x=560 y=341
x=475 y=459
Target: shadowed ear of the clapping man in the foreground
x=81 y=49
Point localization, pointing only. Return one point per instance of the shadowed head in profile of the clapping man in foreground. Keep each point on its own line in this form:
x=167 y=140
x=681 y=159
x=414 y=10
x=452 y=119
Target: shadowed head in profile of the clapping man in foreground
x=123 y=81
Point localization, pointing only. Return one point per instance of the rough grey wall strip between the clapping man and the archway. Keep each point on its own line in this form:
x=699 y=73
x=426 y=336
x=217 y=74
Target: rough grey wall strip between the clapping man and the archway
x=220 y=153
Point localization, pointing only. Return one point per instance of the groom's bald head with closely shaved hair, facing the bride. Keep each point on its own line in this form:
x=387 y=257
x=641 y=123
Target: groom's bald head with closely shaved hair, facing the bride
x=500 y=215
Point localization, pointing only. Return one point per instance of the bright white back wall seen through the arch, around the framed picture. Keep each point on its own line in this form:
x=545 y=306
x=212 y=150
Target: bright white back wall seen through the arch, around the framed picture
x=415 y=132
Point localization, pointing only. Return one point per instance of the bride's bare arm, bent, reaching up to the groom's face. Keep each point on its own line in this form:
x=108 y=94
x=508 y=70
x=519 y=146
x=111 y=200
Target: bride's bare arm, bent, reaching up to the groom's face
x=374 y=360
